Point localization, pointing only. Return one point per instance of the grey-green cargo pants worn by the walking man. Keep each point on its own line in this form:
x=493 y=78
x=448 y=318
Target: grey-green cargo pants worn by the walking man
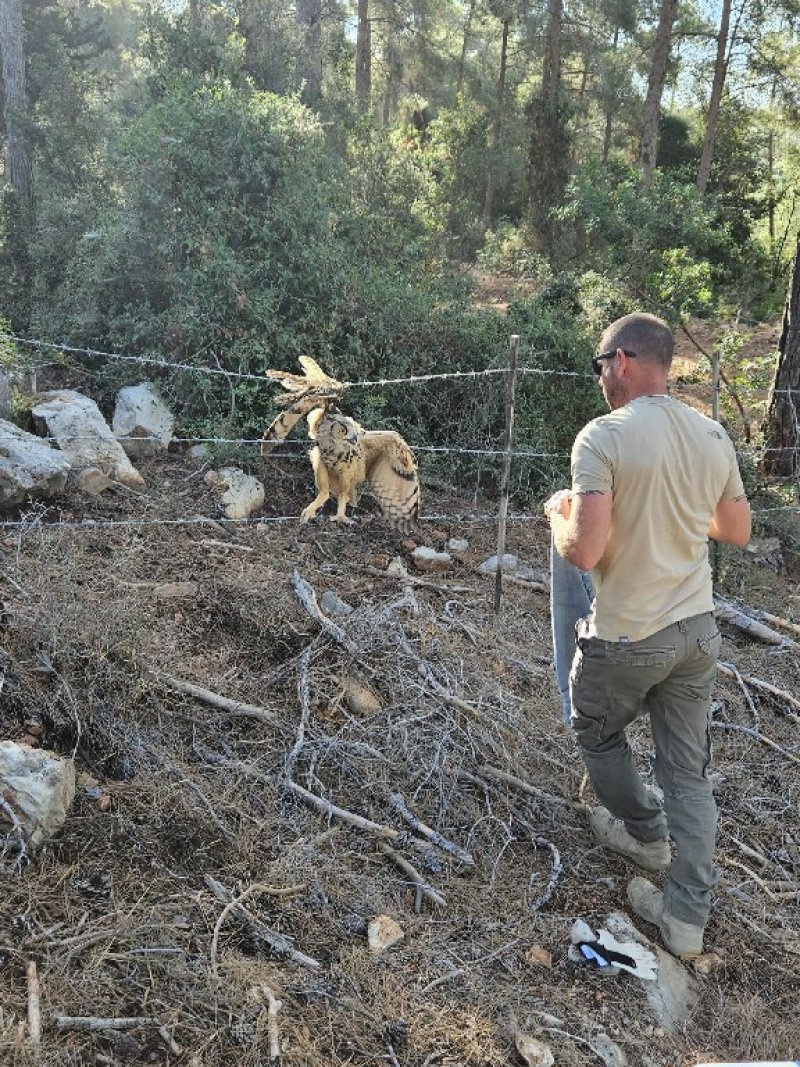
x=669 y=677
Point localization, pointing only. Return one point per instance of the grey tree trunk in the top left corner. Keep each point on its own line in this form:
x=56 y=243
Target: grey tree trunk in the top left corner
x=15 y=89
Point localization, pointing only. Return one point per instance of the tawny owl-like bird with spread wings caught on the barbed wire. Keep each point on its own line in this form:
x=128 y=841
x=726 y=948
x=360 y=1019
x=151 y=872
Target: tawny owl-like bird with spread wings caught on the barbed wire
x=346 y=455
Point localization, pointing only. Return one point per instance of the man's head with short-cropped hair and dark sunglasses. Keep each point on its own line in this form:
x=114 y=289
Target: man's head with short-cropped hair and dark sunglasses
x=635 y=358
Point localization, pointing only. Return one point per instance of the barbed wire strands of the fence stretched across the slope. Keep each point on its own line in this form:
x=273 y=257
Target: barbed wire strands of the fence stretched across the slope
x=292 y=449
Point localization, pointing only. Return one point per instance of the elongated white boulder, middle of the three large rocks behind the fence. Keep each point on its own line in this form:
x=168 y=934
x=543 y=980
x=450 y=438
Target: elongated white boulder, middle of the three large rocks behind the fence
x=84 y=436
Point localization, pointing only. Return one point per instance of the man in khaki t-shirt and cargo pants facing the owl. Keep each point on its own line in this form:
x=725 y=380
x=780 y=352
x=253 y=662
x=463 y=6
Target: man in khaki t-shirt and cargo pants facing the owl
x=651 y=483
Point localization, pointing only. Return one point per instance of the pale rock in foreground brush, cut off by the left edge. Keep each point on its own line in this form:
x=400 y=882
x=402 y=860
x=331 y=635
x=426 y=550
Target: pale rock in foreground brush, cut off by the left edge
x=39 y=787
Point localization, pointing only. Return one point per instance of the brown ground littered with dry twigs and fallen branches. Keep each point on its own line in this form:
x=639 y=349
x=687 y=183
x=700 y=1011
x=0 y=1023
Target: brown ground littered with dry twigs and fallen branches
x=186 y=806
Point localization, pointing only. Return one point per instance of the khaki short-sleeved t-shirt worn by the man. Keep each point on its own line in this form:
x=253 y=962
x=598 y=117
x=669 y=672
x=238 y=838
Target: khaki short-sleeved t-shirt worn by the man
x=667 y=468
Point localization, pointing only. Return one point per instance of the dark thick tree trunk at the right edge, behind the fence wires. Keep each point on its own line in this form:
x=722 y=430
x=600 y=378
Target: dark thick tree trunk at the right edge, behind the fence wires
x=782 y=429
